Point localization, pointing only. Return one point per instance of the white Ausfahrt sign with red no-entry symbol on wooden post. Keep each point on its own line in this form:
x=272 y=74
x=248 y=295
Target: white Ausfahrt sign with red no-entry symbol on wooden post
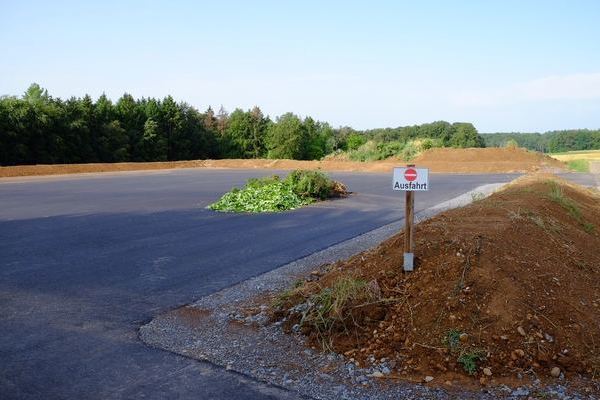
x=410 y=179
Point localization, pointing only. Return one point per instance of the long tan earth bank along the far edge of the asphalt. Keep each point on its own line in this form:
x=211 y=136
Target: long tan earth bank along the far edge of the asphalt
x=492 y=160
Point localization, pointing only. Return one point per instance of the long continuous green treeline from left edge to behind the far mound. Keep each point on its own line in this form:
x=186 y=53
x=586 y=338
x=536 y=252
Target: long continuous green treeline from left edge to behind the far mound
x=37 y=128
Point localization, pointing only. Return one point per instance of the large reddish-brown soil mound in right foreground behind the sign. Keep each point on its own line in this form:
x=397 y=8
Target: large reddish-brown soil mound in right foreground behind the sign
x=505 y=288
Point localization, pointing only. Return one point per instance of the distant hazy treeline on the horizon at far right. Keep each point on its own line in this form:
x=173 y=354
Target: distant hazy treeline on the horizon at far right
x=549 y=142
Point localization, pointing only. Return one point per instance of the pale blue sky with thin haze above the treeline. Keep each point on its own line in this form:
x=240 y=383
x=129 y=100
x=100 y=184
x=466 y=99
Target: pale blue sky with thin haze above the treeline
x=503 y=65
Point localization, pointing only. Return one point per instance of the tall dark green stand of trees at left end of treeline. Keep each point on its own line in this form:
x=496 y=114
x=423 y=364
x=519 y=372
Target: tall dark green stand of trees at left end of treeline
x=40 y=129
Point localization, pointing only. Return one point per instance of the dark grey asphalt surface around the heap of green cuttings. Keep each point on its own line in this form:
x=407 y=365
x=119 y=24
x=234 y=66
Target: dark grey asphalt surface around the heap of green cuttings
x=85 y=260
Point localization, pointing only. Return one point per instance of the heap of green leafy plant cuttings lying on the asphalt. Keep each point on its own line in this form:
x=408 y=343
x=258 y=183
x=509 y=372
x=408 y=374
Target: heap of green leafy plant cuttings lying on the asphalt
x=272 y=194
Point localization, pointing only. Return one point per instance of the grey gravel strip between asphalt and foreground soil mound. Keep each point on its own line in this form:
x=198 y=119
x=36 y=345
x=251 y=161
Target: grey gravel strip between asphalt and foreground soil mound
x=214 y=329
